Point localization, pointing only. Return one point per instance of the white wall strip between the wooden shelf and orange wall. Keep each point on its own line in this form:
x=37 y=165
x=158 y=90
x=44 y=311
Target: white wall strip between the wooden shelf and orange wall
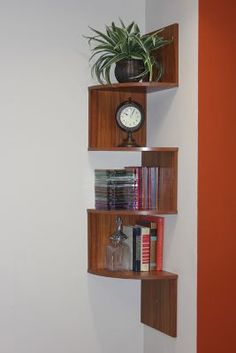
x=173 y=122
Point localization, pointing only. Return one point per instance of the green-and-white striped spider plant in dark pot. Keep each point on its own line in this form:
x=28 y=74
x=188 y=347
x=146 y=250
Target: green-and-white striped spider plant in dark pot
x=128 y=49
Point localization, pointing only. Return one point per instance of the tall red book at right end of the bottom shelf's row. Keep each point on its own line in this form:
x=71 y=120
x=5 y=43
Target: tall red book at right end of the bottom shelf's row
x=160 y=239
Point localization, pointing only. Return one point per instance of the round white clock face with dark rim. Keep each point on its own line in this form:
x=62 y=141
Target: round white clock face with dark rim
x=129 y=116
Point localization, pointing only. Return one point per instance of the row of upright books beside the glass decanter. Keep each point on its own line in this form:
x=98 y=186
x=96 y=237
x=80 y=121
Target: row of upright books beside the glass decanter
x=145 y=240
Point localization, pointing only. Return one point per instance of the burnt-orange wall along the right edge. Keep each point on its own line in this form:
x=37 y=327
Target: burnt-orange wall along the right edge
x=217 y=178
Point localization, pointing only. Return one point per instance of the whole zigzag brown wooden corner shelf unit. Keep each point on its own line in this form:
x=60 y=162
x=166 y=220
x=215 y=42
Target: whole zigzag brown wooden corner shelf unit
x=158 y=288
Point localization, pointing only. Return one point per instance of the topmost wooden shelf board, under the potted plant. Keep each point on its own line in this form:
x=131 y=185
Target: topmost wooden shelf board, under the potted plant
x=144 y=87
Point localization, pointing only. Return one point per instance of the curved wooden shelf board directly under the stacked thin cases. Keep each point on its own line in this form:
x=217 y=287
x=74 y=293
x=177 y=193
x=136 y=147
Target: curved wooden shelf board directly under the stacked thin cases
x=130 y=212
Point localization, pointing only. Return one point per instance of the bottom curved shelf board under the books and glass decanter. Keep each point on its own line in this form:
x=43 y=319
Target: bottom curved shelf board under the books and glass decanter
x=150 y=275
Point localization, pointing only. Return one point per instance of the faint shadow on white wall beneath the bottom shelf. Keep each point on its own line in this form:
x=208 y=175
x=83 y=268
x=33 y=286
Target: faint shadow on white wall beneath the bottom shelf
x=114 y=308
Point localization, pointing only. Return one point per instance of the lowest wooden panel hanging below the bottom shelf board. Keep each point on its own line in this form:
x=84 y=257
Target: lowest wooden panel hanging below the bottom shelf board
x=159 y=305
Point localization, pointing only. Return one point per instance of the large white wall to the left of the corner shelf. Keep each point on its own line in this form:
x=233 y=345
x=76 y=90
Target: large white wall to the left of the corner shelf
x=48 y=303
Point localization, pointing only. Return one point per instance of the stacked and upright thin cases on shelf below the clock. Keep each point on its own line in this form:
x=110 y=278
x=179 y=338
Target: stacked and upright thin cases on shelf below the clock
x=133 y=188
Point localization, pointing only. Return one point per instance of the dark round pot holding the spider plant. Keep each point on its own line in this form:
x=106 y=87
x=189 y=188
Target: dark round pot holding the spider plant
x=126 y=70
